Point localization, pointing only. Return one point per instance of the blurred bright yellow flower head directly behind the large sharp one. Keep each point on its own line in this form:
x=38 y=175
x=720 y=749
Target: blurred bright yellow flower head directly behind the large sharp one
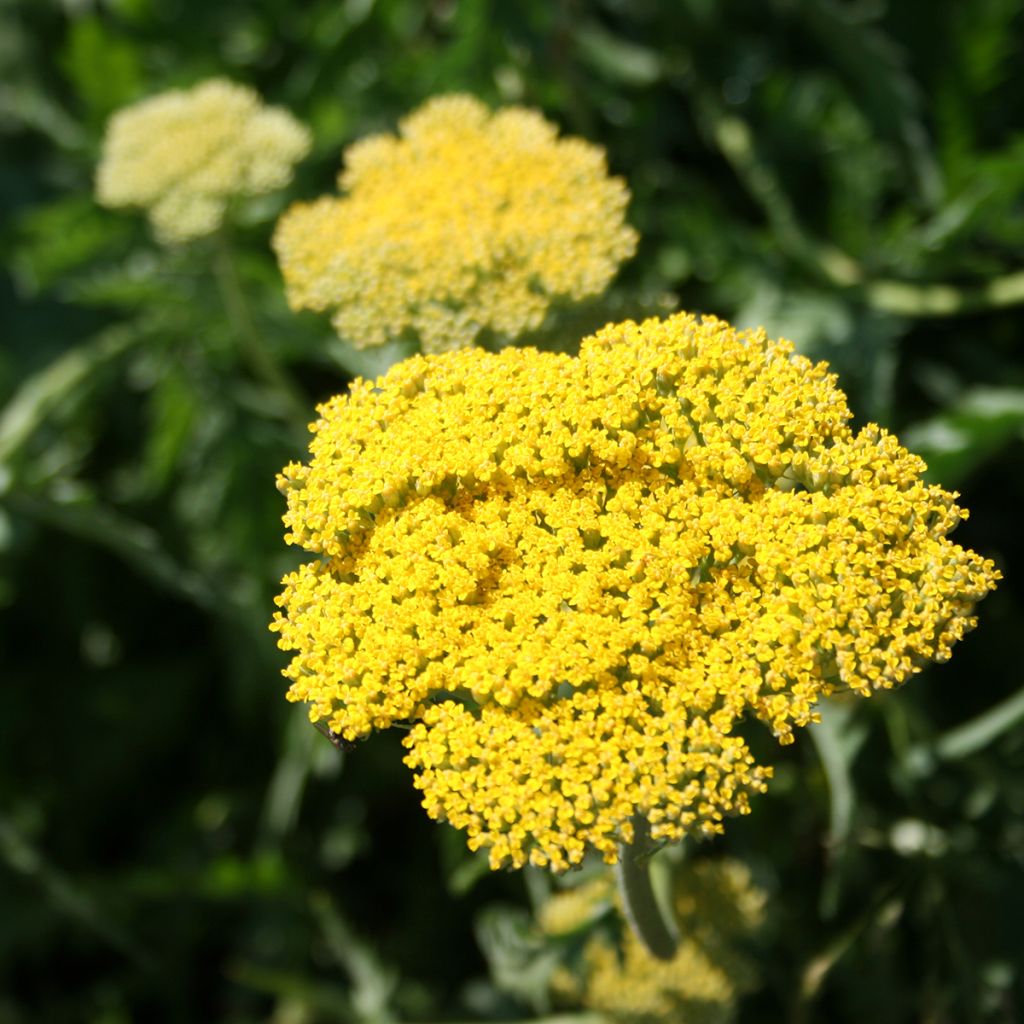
x=466 y=223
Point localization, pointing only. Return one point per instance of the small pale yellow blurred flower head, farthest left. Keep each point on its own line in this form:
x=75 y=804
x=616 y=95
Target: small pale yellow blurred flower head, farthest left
x=184 y=155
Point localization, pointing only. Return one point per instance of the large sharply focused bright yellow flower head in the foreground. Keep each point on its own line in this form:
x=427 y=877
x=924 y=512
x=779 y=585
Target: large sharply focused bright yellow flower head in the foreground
x=576 y=576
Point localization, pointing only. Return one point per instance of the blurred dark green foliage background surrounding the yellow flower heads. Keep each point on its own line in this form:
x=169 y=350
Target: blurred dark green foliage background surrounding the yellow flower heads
x=177 y=843
